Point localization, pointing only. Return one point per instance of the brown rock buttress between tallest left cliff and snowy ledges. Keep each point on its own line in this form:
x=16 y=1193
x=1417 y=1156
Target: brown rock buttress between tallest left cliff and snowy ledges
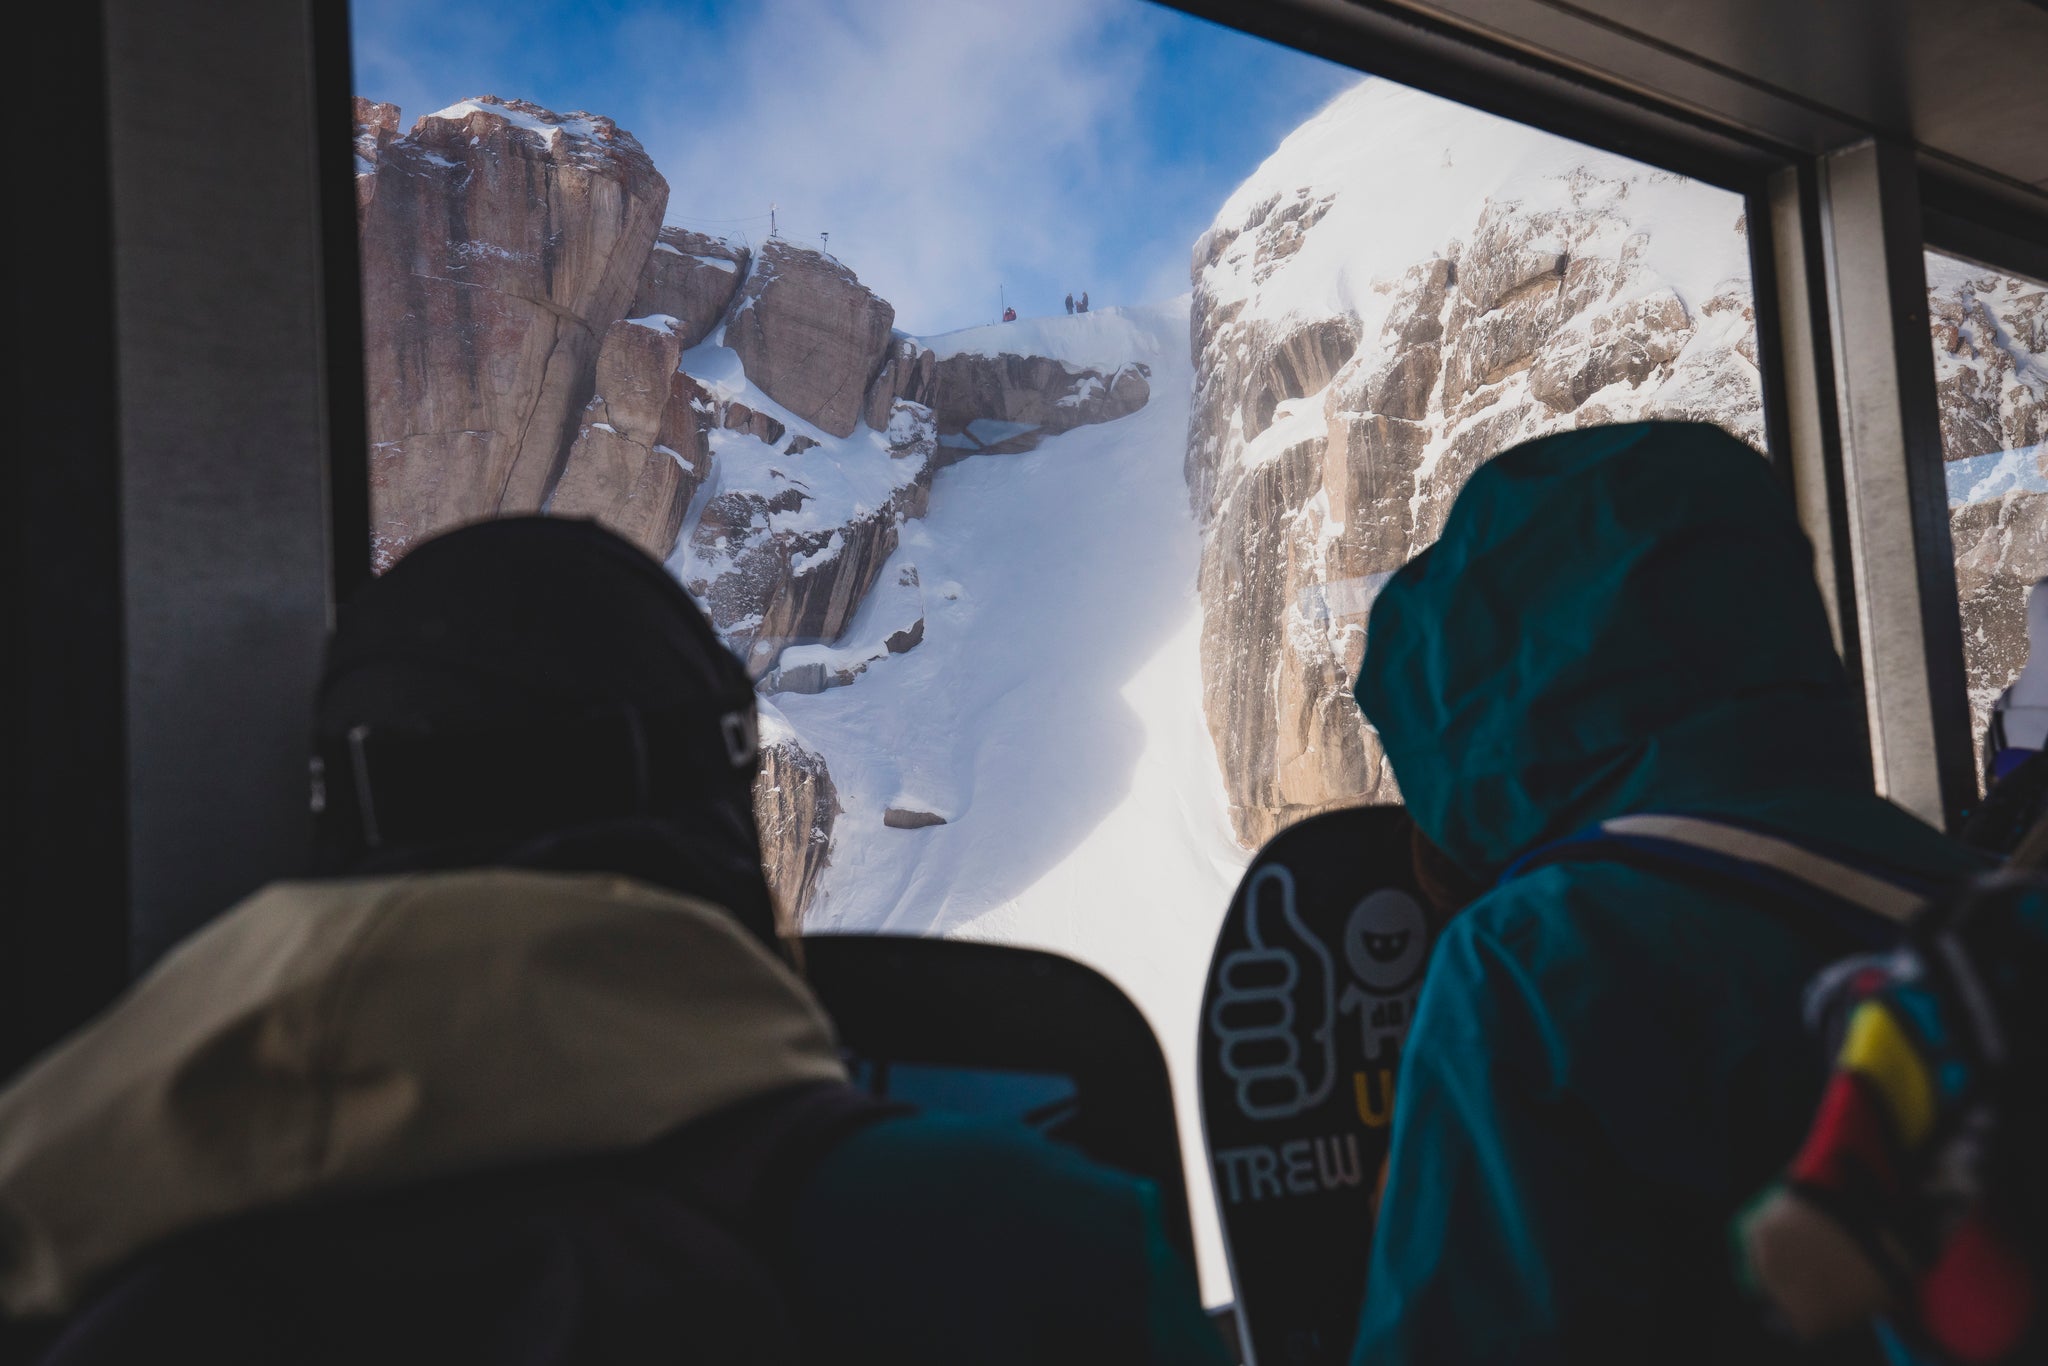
x=642 y=450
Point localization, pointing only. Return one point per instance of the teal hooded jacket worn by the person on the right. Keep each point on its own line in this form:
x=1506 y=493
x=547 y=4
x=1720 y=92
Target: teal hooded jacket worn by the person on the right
x=1607 y=1062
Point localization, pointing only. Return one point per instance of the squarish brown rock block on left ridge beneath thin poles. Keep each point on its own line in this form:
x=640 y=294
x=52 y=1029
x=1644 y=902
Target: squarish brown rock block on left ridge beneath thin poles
x=810 y=335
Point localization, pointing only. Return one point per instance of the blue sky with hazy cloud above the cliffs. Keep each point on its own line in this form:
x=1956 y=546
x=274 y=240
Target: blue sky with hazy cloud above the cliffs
x=949 y=146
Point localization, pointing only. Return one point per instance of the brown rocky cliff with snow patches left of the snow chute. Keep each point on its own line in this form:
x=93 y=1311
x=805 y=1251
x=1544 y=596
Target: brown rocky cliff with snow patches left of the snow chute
x=540 y=343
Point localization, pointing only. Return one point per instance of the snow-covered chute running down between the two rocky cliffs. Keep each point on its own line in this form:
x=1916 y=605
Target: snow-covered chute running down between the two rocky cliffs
x=1052 y=716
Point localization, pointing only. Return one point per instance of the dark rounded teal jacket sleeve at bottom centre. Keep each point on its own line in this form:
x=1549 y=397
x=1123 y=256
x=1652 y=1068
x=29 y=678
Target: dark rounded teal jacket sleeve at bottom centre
x=943 y=1240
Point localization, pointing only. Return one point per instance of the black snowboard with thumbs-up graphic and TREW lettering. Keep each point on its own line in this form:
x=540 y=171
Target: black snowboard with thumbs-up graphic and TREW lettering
x=1310 y=996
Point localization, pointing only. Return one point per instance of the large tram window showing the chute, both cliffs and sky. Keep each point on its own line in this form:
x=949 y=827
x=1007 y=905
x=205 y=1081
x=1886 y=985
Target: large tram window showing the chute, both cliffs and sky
x=1033 y=396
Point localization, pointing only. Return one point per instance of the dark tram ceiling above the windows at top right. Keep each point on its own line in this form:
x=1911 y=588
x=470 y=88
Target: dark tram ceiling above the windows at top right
x=1961 y=81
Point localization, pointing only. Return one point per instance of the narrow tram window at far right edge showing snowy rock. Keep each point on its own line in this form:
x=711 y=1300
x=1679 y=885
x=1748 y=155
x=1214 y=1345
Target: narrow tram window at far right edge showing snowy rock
x=1992 y=378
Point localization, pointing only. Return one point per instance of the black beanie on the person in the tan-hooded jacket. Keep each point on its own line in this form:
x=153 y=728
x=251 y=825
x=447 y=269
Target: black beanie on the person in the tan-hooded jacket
x=538 y=693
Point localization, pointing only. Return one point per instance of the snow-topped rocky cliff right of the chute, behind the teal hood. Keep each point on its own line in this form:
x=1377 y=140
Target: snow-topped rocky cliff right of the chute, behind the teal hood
x=1392 y=300
